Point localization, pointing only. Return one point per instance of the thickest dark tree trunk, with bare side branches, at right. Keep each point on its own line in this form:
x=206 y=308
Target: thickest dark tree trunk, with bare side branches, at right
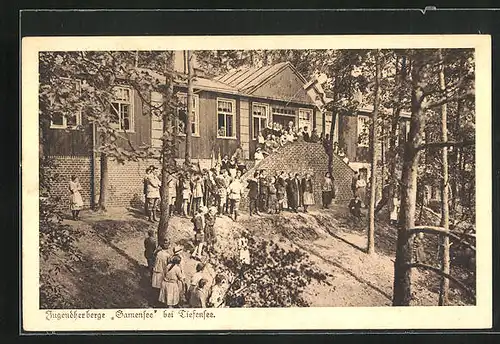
x=402 y=273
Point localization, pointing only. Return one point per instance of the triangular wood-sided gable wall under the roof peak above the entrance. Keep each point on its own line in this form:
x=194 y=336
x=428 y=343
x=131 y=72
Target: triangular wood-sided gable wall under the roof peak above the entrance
x=285 y=85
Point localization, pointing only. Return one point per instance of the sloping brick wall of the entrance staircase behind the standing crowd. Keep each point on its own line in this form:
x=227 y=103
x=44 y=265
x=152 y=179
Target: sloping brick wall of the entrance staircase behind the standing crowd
x=309 y=157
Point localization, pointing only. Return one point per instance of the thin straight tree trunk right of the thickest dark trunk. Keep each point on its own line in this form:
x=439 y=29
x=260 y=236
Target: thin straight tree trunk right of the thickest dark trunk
x=445 y=219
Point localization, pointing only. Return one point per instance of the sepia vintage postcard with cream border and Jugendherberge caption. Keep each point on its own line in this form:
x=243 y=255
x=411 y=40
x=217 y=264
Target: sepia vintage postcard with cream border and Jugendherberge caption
x=256 y=183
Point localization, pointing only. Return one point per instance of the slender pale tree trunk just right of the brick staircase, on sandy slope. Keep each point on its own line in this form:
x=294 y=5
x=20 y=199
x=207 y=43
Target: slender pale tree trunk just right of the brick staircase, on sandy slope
x=374 y=153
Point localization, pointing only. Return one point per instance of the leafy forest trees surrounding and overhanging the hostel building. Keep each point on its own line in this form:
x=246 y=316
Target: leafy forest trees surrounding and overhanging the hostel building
x=435 y=85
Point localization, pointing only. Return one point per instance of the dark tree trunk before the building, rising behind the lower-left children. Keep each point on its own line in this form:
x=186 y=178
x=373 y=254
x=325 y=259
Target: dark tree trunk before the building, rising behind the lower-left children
x=167 y=153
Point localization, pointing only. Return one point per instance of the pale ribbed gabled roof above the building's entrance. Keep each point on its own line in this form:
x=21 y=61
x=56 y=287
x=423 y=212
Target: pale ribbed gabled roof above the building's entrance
x=248 y=79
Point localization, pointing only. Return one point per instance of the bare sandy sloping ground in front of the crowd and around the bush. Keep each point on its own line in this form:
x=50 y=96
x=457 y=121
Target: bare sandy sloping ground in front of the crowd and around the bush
x=112 y=271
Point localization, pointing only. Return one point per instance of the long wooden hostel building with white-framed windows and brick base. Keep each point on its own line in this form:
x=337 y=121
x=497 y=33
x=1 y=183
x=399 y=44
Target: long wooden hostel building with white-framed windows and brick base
x=229 y=110
